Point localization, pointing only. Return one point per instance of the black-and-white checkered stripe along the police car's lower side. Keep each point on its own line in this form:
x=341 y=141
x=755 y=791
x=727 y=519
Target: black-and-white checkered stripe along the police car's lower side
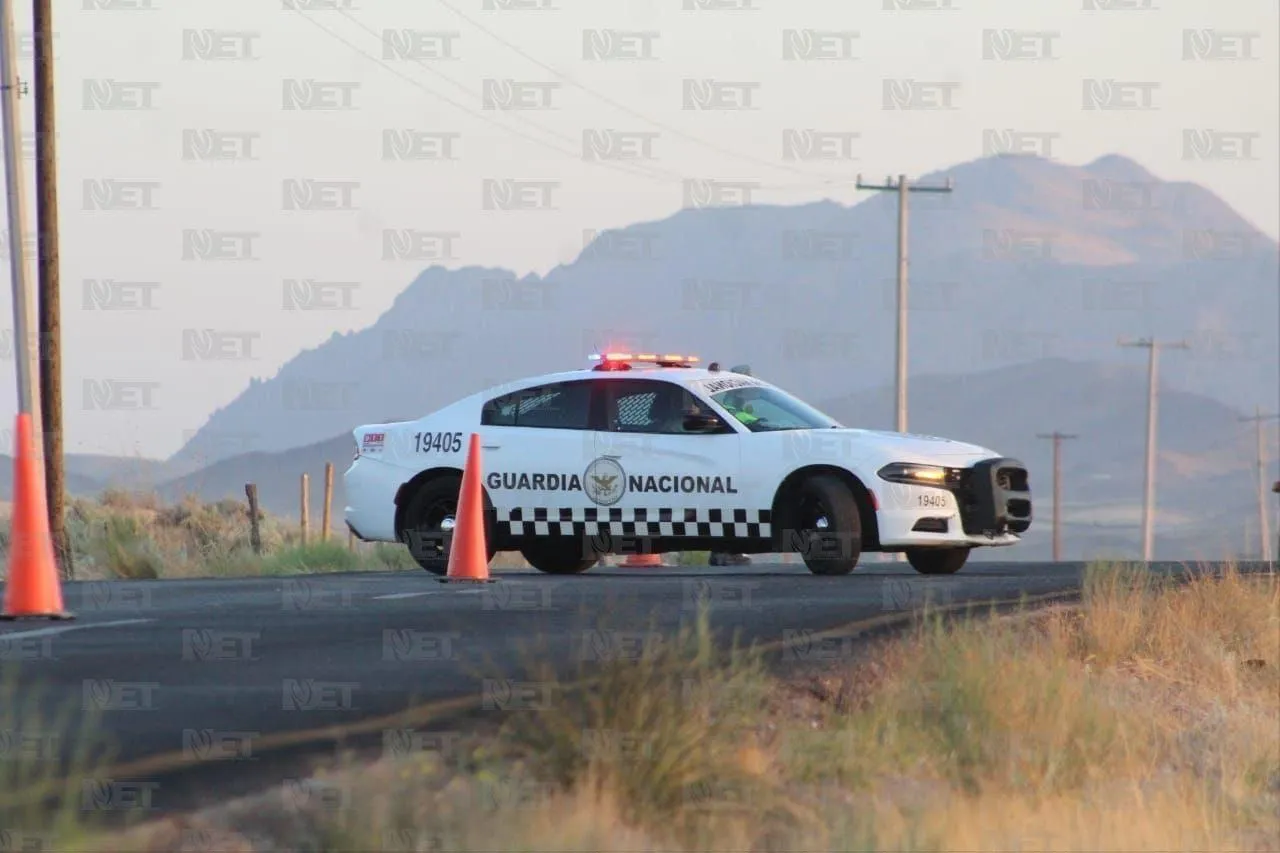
x=543 y=522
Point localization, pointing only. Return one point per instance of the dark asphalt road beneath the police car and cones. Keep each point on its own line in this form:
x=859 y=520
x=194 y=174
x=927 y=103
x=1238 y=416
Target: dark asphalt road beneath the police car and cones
x=245 y=672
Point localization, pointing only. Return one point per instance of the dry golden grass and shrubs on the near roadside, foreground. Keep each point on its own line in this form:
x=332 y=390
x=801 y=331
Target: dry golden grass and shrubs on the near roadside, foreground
x=1146 y=719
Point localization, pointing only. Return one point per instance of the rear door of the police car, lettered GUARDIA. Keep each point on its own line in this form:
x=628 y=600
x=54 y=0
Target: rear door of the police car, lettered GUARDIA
x=537 y=444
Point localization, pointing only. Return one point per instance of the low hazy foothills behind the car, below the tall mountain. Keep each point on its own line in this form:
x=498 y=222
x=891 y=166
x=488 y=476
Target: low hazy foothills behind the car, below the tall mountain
x=1205 y=483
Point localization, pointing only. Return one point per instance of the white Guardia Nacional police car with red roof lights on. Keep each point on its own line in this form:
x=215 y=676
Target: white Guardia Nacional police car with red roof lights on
x=650 y=454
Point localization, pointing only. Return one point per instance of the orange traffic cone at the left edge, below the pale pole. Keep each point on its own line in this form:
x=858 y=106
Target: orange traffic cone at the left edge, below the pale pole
x=34 y=590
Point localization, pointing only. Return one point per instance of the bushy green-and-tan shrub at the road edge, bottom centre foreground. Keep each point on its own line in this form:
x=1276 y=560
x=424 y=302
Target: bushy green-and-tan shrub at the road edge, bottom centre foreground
x=666 y=731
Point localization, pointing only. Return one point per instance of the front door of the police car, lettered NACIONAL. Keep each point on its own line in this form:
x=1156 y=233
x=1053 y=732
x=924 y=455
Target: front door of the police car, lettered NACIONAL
x=653 y=477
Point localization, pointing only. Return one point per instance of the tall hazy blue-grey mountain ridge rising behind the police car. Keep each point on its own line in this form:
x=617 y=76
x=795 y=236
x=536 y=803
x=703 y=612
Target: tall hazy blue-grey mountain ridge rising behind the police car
x=1027 y=259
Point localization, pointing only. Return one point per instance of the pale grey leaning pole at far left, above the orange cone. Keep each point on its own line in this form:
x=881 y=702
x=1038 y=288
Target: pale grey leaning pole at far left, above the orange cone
x=26 y=350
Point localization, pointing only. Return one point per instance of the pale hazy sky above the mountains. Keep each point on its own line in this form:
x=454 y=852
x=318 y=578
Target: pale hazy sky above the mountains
x=168 y=98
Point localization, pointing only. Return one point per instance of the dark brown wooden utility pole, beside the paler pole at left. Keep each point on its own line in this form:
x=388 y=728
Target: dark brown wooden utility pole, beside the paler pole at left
x=48 y=286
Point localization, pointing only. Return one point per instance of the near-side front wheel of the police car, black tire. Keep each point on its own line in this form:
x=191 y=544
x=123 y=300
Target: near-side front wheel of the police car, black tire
x=829 y=526
